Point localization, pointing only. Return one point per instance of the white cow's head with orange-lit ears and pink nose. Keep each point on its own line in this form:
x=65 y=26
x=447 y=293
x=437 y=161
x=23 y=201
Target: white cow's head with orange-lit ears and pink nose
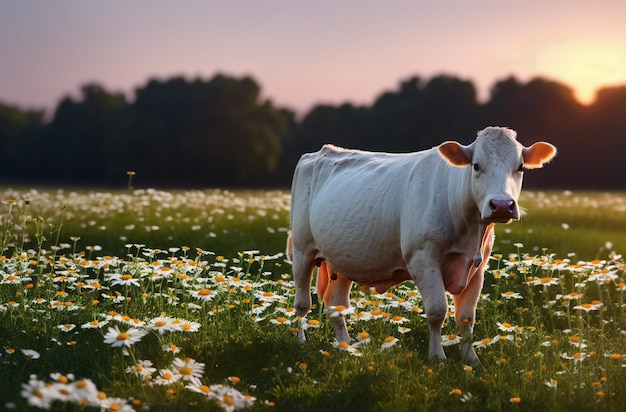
x=497 y=162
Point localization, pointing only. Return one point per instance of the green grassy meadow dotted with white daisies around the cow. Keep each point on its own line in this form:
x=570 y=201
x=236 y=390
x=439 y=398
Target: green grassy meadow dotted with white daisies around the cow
x=159 y=300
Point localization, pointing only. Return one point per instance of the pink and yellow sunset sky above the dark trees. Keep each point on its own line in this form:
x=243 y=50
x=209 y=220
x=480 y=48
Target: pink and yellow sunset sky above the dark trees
x=304 y=53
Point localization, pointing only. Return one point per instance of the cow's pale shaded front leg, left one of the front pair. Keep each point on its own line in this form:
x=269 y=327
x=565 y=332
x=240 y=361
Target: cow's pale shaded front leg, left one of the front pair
x=433 y=291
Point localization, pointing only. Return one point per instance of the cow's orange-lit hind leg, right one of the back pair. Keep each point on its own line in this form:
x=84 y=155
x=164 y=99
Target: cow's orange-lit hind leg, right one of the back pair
x=336 y=293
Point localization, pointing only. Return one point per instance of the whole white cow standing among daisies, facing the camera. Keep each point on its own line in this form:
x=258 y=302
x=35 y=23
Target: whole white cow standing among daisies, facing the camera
x=379 y=219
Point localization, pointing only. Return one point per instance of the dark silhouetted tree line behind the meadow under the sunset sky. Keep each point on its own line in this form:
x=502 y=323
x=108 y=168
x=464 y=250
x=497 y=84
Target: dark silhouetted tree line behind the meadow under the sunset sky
x=220 y=132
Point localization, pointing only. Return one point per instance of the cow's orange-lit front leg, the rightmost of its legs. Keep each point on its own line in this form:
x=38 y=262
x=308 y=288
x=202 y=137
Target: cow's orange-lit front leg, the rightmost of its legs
x=465 y=314
